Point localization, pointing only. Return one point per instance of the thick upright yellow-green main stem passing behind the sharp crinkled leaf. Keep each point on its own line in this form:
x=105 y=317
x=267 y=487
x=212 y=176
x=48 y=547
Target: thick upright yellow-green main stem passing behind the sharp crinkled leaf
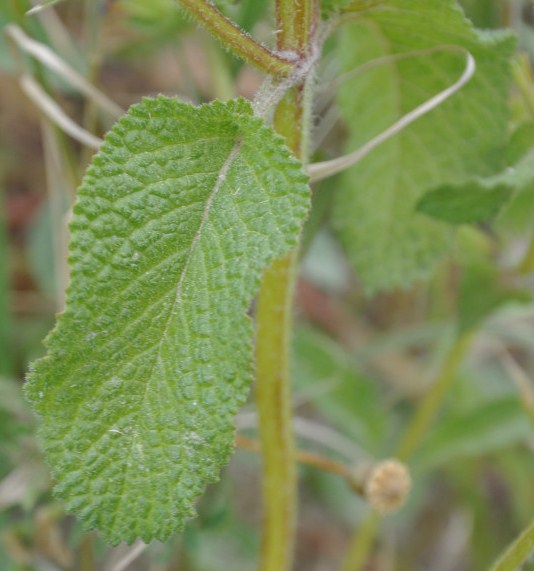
x=273 y=319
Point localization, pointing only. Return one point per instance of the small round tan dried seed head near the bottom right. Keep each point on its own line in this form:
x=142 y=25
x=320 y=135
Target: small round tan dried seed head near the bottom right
x=387 y=485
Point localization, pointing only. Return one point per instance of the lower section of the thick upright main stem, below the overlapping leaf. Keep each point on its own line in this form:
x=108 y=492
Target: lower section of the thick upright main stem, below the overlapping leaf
x=273 y=398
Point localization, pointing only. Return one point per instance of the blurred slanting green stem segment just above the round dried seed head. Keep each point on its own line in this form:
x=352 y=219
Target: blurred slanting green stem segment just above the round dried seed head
x=433 y=399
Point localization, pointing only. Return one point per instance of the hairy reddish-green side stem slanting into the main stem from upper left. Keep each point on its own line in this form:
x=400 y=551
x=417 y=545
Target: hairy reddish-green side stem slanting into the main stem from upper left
x=236 y=40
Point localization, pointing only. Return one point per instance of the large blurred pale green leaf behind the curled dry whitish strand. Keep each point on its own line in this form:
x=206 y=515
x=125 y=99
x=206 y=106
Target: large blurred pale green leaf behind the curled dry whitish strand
x=388 y=243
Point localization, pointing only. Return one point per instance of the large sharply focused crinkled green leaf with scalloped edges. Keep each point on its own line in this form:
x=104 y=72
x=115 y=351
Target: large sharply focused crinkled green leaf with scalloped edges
x=177 y=216
